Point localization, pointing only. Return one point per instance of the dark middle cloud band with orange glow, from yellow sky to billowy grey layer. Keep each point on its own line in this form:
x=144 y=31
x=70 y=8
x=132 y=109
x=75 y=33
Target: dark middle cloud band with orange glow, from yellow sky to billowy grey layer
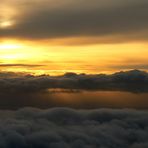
x=123 y=89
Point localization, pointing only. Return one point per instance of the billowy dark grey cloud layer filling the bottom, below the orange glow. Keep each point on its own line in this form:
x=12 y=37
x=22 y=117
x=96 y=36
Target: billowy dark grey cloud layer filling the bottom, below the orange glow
x=67 y=128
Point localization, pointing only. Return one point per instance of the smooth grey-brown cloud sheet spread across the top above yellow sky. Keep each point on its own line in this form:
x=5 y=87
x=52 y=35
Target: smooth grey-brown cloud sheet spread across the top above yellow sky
x=45 y=19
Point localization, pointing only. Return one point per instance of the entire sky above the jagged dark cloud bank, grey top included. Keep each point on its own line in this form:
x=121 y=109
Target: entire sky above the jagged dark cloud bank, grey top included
x=82 y=36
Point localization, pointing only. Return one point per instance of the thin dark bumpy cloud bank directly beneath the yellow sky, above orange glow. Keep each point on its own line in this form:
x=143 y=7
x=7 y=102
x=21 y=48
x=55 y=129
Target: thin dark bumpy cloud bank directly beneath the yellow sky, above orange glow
x=132 y=81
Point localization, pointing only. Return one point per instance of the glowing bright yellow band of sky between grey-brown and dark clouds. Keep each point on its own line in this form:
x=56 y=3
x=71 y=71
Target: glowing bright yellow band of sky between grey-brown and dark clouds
x=58 y=59
